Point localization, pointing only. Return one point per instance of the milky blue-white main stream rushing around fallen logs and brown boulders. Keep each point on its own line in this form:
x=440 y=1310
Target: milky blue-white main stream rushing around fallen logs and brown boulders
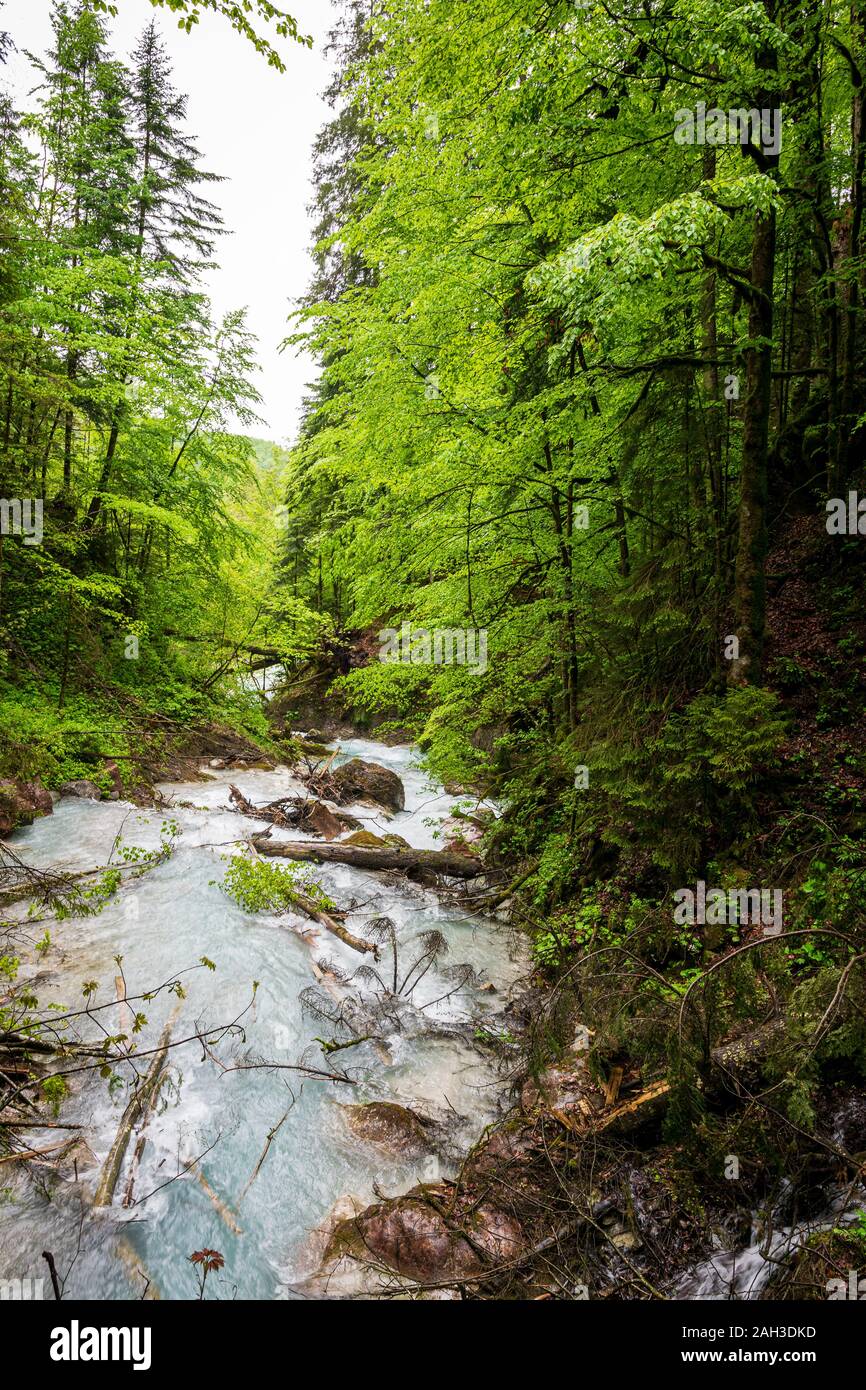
x=168 y=921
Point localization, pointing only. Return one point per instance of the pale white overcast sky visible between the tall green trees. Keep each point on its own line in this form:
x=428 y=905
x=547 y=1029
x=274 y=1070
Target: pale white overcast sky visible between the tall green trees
x=254 y=126
